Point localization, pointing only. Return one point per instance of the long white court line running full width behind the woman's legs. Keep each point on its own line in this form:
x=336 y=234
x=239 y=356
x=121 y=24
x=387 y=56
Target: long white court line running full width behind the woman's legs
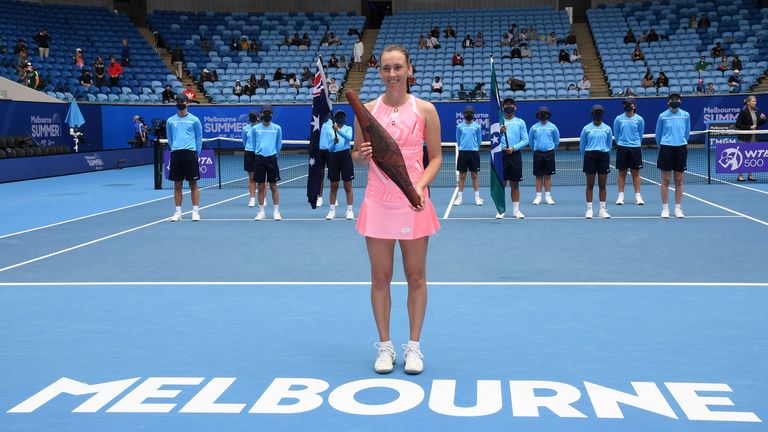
x=367 y=283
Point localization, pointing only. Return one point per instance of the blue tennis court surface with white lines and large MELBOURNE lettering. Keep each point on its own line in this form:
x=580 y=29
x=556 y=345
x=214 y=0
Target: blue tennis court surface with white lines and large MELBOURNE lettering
x=114 y=319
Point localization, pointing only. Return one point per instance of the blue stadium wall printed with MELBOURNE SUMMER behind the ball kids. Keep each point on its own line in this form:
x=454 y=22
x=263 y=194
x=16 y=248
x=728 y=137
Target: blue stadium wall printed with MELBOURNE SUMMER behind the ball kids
x=111 y=126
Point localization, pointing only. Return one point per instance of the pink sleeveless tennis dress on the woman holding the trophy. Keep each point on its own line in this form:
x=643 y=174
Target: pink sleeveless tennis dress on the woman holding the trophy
x=386 y=212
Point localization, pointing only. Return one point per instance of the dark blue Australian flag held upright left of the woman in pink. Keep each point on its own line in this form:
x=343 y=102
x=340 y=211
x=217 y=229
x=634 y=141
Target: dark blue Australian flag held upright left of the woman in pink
x=321 y=111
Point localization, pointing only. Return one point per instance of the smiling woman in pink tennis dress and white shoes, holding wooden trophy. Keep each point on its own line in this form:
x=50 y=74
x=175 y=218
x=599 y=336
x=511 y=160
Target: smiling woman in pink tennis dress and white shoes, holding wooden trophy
x=386 y=215
